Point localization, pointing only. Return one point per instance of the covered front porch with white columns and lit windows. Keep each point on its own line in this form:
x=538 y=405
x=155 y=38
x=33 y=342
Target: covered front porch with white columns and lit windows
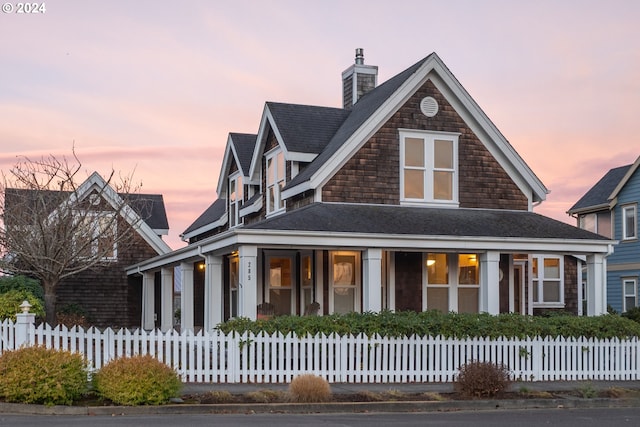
x=302 y=274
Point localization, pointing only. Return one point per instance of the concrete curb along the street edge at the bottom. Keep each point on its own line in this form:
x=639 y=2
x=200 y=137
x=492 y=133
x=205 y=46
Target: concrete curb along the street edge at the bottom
x=331 y=407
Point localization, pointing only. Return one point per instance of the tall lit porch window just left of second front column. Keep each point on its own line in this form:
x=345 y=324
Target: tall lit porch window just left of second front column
x=345 y=282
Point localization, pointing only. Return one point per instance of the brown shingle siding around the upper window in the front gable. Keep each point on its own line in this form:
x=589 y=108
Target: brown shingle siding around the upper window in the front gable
x=372 y=175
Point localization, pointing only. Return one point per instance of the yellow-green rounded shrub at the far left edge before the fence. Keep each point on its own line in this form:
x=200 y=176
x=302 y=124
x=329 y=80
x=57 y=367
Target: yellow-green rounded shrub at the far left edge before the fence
x=41 y=375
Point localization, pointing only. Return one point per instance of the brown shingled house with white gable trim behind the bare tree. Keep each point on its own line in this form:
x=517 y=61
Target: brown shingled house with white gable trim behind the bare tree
x=104 y=292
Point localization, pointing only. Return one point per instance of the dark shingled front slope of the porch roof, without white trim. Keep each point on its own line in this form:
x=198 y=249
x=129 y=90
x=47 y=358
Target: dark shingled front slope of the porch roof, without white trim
x=437 y=222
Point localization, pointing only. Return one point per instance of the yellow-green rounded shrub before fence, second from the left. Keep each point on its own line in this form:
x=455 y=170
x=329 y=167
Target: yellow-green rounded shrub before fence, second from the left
x=138 y=380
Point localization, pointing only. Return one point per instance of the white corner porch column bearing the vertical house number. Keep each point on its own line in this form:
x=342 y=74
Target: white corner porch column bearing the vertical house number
x=248 y=284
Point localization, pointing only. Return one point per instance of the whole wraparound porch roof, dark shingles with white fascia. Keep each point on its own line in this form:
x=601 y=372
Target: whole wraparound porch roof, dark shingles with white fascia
x=328 y=225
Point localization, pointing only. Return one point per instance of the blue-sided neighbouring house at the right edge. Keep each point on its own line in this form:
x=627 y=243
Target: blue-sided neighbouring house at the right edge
x=610 y=208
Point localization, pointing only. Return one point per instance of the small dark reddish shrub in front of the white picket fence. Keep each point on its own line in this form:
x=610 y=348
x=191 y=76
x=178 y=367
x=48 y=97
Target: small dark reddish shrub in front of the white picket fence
x=481 y=379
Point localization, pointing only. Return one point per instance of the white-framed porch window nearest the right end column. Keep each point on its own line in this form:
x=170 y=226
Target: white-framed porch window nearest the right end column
x=548 y=280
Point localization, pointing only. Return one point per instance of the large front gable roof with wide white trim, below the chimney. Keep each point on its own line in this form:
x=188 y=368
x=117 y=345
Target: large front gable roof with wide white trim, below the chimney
x=374 y=108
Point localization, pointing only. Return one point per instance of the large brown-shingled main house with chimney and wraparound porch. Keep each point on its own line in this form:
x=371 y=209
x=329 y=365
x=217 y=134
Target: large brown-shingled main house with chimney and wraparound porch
x=407 y=197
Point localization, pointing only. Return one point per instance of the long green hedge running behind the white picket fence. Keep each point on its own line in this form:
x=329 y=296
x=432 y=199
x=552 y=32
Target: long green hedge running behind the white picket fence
x=435 y=323
